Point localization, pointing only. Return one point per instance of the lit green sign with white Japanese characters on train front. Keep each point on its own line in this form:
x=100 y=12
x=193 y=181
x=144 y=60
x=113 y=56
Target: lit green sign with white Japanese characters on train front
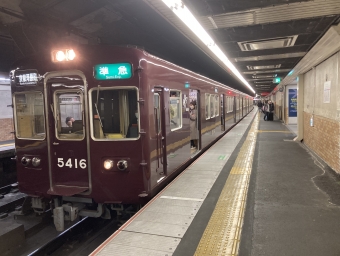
x=112 y=71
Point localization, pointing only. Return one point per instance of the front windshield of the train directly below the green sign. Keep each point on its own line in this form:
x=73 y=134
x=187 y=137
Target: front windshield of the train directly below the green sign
x=115 y=114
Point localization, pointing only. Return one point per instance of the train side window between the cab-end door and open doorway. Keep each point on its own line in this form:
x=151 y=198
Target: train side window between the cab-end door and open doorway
x=175 y=107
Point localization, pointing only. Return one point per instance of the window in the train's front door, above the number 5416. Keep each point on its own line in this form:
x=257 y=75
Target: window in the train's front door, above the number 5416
x=68 y=115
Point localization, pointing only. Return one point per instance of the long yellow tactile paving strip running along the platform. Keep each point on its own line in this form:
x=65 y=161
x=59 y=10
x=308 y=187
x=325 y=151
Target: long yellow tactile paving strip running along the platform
x=223 y=232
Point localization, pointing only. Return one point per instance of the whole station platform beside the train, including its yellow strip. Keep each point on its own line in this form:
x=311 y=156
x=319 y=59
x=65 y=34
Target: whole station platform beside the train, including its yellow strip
x=255 y=192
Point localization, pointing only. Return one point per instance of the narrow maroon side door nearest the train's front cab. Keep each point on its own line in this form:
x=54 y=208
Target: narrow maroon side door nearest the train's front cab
x=160 y=129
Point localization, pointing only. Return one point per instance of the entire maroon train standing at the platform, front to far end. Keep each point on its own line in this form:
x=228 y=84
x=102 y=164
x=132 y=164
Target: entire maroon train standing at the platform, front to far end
x=98 y=128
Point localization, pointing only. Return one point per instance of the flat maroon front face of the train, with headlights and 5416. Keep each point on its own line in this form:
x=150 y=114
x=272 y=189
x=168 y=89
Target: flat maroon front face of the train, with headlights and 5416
x=78 y=138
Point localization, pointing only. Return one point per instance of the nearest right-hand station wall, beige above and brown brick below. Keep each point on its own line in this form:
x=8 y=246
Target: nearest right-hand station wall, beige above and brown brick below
x=322 y=105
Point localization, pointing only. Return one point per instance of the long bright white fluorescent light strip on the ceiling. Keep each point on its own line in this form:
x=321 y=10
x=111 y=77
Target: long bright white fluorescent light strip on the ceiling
x=182 y=12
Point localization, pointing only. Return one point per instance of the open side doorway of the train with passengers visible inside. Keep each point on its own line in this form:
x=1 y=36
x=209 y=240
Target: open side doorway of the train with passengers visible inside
x=195 y=130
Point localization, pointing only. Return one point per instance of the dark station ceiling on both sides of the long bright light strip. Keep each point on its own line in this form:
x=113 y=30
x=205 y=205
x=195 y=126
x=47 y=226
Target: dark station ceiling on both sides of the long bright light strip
x=263 y=38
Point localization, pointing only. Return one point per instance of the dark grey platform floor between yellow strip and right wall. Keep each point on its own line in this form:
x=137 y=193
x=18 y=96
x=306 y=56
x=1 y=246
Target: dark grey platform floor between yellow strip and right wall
x=290 y=210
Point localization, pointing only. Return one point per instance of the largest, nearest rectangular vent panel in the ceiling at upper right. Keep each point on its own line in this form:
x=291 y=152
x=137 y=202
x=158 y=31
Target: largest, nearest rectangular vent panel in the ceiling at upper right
x=280 y=42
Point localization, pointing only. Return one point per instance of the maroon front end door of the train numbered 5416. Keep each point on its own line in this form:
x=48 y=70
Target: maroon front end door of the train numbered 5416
x=67 y=137
